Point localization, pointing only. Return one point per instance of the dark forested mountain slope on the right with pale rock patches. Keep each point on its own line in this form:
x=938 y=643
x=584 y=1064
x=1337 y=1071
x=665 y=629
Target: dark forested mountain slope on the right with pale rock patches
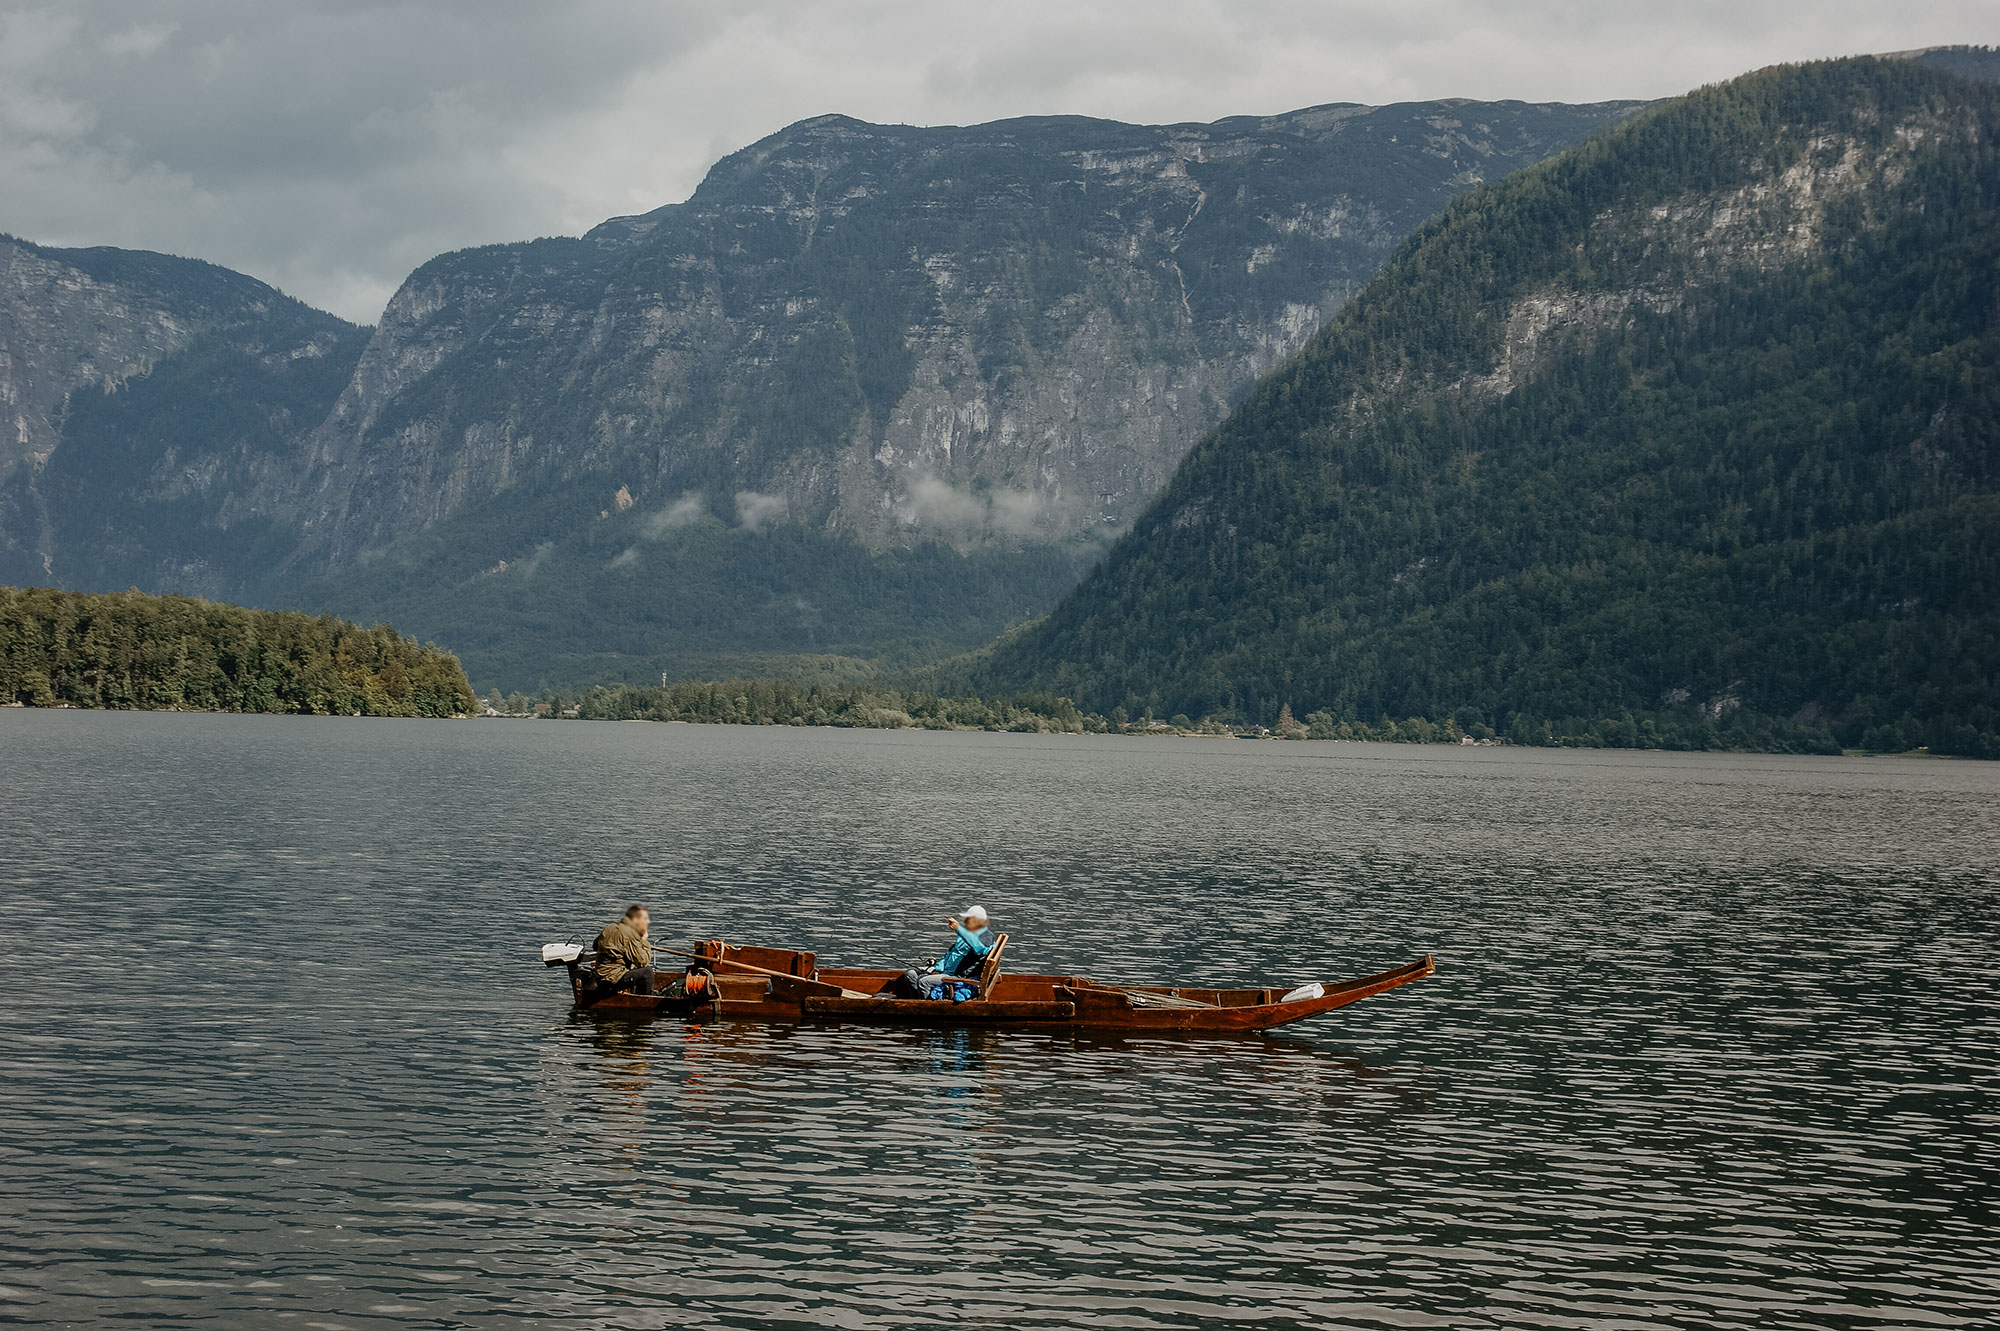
x=1699 y=419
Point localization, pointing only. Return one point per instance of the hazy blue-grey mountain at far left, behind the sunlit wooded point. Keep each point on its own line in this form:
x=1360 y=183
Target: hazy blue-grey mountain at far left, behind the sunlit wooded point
x=147 y=399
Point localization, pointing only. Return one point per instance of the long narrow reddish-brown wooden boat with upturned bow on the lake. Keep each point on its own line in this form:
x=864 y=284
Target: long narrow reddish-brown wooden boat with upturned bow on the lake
x=775 y=984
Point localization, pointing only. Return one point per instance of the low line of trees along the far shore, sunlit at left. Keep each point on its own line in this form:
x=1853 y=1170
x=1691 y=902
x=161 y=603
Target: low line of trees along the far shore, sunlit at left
x=131 y=651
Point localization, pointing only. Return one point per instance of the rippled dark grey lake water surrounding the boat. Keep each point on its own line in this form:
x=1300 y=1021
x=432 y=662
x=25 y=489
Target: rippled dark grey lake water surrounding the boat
x=1713 y=1040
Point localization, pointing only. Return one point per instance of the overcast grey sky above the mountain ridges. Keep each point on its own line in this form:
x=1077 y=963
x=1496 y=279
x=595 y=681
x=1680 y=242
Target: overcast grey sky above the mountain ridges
x=331 y=147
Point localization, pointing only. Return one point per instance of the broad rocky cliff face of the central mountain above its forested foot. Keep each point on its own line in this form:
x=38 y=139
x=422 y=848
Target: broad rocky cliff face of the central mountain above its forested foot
x=1003 y=333
